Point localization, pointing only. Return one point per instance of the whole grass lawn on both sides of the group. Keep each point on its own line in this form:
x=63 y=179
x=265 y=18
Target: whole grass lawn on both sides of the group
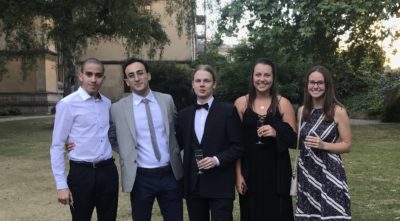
x=27 y=185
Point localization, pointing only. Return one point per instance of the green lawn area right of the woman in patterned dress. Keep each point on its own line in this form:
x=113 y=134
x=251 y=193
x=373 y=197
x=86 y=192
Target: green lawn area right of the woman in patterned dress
x=373 y=171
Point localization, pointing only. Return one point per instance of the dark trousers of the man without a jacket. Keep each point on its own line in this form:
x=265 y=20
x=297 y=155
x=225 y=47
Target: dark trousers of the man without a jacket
x=93 y=188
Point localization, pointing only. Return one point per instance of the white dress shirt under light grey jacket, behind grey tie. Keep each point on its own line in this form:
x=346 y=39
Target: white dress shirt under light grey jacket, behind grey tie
x=146 y=157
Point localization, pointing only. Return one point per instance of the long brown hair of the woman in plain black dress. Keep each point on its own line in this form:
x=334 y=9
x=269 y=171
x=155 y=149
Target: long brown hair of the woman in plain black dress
x=272 y=91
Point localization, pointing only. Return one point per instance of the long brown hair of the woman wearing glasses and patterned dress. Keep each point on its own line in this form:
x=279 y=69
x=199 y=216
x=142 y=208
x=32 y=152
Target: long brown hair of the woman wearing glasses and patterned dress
x=329 y=98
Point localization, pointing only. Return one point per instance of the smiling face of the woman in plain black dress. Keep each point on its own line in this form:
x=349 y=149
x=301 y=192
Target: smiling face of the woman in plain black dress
x=262 y=77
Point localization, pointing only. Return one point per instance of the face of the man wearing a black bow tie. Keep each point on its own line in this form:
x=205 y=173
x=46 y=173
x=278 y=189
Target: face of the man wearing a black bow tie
x=203 y=85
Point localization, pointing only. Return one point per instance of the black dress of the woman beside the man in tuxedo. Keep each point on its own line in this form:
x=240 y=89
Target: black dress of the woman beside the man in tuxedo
x=260 y=166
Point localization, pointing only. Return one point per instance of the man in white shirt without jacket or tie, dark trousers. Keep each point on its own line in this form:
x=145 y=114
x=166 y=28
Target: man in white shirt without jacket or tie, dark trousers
x=82 y=118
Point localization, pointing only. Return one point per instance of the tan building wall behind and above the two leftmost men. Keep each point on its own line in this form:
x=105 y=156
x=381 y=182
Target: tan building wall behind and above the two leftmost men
x=113 y=52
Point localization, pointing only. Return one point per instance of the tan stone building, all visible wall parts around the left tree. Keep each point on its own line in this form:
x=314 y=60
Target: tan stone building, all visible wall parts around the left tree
x=41 y=89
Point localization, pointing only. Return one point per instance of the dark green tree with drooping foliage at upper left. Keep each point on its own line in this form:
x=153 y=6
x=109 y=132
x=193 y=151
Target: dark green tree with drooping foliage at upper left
x=30 y=26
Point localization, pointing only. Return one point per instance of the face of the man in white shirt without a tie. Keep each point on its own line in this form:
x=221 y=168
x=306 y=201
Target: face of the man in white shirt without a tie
x=91 y=78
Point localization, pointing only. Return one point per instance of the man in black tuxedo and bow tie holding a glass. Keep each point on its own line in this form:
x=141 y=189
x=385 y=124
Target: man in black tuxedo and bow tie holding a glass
x=215 y=128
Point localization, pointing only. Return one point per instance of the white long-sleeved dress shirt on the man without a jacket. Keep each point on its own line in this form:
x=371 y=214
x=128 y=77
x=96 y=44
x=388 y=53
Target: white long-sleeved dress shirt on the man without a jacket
x=84 y=121
